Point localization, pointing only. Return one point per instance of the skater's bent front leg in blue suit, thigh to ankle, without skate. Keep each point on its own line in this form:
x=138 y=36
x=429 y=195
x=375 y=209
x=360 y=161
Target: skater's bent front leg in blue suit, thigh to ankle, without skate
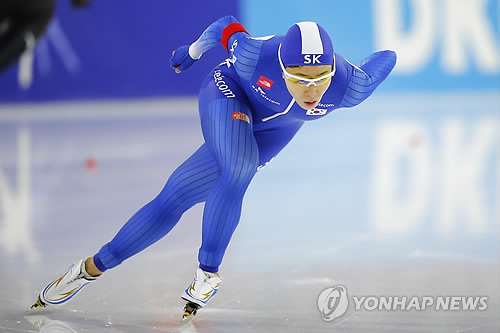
x=232 y=143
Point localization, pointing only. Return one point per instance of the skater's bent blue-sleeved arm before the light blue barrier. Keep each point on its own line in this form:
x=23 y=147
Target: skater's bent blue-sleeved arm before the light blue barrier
x=365 y=78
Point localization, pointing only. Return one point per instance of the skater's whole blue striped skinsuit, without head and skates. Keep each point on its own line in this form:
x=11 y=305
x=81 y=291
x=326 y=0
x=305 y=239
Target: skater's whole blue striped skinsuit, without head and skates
x=247 y=117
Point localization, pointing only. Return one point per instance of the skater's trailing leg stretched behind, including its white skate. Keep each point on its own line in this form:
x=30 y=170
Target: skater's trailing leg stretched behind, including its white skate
x=188 y=185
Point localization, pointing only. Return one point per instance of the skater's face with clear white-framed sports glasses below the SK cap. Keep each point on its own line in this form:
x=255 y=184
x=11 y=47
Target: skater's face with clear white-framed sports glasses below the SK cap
x=307 y=93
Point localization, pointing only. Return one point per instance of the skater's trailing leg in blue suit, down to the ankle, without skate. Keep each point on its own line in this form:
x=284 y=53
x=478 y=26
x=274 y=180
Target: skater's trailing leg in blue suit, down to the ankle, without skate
x=188 y=185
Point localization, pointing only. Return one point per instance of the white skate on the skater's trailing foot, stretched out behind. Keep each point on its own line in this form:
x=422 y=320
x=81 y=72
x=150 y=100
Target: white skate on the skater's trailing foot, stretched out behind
x=64 y=288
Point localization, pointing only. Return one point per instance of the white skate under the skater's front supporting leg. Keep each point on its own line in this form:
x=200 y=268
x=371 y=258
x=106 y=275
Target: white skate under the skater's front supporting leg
x=202 y=289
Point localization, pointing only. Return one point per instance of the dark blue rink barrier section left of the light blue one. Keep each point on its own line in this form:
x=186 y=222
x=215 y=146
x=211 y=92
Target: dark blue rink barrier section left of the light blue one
x=117 y=50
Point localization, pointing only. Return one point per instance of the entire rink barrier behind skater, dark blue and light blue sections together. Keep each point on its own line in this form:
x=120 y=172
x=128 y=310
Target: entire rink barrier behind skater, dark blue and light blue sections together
x=441 y=45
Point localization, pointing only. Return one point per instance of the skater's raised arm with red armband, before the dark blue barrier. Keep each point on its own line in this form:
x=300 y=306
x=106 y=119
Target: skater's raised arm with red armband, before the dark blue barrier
x=220 y=31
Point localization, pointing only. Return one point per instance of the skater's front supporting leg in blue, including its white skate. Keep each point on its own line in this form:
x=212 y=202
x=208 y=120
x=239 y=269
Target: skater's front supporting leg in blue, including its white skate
x=227 y=129
